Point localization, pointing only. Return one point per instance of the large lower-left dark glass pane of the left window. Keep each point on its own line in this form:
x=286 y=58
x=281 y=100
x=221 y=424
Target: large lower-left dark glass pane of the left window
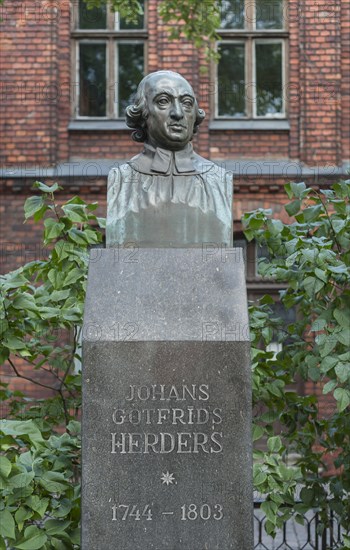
x=92 y=83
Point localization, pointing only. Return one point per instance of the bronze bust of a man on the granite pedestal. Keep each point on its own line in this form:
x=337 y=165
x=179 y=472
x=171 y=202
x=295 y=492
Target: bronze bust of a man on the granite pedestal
x=167 y=196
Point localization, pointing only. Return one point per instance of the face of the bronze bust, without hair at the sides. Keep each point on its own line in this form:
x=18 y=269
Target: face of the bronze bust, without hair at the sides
x=171 y=111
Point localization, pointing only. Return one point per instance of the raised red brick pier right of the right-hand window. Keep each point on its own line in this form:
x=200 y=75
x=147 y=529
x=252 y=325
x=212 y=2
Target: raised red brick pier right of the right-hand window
x=320 y=79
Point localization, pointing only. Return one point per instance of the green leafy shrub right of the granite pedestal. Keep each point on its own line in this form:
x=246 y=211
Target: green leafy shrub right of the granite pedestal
x=311 y=257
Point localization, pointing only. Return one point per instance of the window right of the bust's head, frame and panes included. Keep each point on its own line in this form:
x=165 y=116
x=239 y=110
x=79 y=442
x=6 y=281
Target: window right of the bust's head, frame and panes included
x=251 y=75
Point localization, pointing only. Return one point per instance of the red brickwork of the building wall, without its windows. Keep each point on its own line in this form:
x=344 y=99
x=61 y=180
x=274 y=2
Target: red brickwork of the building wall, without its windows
x=37 y=88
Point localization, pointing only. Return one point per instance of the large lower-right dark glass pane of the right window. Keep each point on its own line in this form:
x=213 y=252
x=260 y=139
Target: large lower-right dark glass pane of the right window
x=268 y=79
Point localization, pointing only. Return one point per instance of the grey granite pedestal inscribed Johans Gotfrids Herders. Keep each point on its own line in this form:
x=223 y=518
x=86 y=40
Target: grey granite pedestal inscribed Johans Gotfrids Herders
x=167 y=454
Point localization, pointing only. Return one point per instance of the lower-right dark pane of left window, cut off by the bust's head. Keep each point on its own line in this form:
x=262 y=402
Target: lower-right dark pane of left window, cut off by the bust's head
x=131 y=71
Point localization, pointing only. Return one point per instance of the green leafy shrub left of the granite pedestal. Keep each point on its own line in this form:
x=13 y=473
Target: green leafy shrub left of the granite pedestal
x=41 y=319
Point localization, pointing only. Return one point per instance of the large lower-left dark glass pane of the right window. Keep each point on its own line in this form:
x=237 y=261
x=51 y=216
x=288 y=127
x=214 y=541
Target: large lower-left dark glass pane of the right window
x=231 y=81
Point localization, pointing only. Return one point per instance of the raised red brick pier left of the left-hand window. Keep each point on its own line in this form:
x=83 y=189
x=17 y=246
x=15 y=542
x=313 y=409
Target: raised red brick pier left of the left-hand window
x=29 y=82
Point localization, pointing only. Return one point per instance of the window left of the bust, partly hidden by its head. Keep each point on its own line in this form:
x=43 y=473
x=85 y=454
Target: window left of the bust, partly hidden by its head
x=109 y=61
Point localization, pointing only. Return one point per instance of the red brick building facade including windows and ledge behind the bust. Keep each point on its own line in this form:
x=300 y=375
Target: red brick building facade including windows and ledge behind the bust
x=47 y=133
